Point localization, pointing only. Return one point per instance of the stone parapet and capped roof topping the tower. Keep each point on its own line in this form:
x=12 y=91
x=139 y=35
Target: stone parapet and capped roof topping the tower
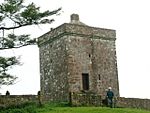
x=75 y=27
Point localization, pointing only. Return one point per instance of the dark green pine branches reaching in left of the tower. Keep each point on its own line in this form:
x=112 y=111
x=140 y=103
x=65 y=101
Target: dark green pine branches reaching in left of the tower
x=20 y=15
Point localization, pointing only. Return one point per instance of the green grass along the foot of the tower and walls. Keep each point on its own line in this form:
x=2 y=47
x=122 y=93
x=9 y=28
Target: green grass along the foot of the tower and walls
x=49 y=108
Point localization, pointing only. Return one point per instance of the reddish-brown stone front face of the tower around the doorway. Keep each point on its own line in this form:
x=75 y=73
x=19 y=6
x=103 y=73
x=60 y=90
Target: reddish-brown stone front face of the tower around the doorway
x=94 y=56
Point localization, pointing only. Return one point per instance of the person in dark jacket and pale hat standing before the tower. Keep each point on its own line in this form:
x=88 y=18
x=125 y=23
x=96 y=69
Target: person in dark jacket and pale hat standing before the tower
x=110 y=96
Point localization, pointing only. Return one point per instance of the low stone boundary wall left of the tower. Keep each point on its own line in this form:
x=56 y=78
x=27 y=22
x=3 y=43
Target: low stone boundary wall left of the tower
x=10 y=100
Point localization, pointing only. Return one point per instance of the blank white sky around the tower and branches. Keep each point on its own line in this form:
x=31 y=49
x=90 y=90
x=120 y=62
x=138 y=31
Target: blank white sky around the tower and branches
x=130 y=19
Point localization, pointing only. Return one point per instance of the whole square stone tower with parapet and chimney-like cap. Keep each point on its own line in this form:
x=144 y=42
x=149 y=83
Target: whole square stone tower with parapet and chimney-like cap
x=75 y=57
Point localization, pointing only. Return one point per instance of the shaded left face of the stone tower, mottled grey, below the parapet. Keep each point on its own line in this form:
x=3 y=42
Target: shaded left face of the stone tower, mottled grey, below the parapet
x=54 y=70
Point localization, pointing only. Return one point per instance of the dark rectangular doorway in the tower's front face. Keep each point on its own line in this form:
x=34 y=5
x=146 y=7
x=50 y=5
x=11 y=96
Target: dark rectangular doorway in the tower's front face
x=85 y=81
